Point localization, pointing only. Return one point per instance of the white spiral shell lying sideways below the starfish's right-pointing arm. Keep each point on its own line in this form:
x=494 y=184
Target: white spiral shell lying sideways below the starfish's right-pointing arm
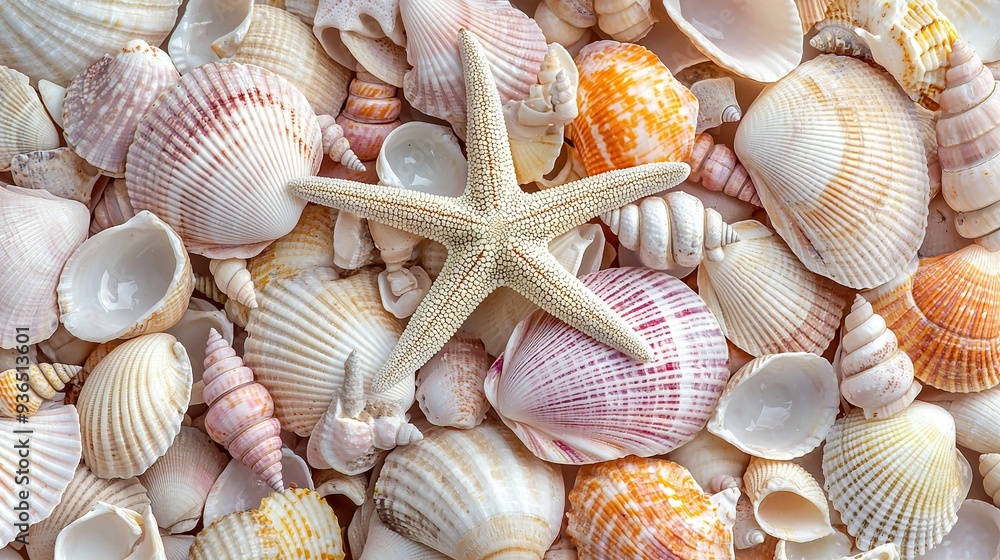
x=672 y=231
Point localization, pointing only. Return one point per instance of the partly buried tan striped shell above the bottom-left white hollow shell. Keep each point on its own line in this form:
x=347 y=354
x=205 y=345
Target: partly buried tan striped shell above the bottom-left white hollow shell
x=82 y=494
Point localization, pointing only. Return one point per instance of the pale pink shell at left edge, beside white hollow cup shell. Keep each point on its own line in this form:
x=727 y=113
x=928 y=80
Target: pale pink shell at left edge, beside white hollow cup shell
x=38 y=233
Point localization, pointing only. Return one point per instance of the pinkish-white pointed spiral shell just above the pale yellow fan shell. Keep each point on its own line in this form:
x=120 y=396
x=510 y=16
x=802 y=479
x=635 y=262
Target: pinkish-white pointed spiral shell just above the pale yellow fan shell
x=877 y=375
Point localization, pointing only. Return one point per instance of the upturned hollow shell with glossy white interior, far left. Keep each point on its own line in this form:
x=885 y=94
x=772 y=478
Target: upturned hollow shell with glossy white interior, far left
x=141 y=286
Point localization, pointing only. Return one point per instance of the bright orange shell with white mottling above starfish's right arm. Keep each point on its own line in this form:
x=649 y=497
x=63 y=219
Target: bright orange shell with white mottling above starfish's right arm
x=632 y=110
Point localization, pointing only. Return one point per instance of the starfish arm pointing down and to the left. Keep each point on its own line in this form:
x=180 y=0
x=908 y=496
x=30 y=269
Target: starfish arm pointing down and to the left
x=464 y=282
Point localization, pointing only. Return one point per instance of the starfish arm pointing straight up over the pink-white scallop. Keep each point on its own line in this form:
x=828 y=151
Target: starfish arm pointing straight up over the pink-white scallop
x=491 y=167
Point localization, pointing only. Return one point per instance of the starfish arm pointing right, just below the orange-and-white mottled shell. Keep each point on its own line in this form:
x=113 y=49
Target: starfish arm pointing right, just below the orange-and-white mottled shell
x=559 y=209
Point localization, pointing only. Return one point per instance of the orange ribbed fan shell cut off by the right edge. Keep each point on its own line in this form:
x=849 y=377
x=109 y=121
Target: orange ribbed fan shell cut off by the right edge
x=945 y=314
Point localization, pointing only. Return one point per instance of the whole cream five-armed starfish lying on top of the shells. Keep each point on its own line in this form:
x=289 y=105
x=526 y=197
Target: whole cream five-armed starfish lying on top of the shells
x=496 y=234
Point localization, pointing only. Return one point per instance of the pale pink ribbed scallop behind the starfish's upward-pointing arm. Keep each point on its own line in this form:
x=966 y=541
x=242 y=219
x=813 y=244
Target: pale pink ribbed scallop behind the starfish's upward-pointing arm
x=513 y=44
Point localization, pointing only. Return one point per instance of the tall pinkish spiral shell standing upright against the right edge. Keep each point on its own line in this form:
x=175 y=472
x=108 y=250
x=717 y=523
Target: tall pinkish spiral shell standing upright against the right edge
x=968 y=134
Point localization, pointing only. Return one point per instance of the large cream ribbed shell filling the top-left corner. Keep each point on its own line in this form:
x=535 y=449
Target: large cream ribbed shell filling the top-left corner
x=76 y=34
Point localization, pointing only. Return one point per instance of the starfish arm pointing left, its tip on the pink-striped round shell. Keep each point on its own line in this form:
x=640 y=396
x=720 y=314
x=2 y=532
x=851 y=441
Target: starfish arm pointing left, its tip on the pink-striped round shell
x=427 y=215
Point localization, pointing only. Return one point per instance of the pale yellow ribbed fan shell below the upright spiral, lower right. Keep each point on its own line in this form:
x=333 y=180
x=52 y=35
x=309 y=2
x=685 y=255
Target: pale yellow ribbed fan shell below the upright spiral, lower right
x=899 y=479
